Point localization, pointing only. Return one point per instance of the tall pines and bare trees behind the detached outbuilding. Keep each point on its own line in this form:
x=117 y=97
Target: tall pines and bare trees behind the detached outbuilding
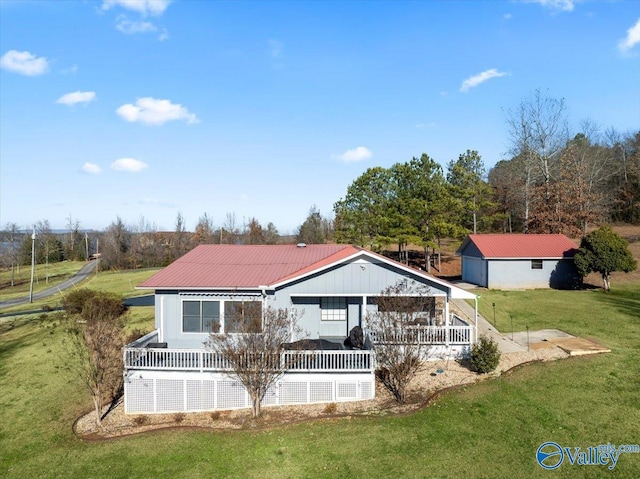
x=555 y=181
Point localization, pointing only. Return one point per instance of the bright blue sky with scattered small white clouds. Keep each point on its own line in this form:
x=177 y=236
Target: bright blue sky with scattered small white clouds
x=147 y=108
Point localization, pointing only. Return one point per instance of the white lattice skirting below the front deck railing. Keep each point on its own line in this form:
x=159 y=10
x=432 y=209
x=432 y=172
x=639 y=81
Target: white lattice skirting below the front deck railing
x=168 y=392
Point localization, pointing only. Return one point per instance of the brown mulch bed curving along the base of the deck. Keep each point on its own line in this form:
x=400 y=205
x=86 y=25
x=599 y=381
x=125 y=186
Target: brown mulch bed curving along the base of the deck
x=434 y=378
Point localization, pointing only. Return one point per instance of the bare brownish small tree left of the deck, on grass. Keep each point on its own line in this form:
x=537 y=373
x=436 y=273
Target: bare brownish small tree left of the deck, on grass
x=94 y=340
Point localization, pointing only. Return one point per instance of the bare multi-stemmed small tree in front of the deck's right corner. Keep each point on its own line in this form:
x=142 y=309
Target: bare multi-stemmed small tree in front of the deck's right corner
x=398 y=344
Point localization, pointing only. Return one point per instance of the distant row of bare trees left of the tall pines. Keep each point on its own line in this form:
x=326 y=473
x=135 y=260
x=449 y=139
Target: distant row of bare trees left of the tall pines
x=143 y=245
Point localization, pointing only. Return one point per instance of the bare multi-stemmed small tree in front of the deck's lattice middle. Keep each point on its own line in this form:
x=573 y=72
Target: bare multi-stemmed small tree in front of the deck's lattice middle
x=255 y=349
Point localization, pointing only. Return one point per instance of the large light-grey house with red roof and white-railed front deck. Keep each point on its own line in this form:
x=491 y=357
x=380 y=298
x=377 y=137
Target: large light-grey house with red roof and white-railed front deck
x=334 y=287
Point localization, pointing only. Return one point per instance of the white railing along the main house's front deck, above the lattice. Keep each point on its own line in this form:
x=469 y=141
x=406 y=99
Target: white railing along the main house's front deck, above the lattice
x=202 y=360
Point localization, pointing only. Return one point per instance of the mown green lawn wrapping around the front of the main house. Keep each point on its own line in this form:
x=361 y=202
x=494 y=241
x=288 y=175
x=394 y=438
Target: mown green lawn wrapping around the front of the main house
x=490 y=429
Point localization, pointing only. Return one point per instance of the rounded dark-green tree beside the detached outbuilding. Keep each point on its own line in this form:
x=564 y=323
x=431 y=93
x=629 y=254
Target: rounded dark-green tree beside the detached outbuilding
x=603 y=251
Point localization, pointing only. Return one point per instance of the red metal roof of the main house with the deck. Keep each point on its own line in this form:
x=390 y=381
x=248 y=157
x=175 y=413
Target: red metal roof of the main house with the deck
x=245 y=266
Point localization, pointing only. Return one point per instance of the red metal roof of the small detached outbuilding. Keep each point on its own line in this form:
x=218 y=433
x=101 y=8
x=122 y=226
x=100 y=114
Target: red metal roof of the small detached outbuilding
x=522 y=245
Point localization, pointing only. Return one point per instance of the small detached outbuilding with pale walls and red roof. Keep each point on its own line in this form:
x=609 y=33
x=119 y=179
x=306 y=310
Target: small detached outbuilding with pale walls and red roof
x=508 y=261
